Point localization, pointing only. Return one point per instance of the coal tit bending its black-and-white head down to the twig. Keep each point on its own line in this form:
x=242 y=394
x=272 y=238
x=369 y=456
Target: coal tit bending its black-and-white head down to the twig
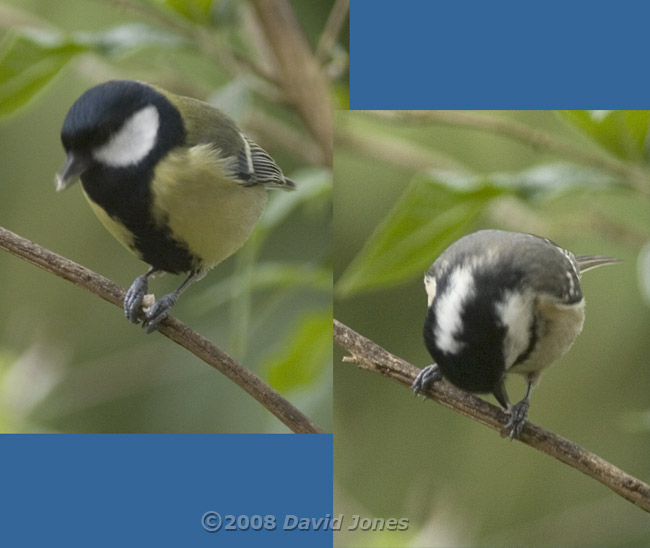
x=502 y=302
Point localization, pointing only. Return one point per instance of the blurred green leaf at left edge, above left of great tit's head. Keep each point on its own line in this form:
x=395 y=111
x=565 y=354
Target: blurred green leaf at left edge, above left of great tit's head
x=28 y=62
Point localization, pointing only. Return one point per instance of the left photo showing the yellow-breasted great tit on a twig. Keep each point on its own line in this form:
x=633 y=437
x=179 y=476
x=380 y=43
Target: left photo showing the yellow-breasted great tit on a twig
x=193 y=141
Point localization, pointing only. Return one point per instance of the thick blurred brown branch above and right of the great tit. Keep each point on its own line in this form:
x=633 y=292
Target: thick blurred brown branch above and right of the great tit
x=303 y=81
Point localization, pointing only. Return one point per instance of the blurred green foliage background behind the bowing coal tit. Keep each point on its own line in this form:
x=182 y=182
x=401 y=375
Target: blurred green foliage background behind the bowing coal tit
x=407 y=185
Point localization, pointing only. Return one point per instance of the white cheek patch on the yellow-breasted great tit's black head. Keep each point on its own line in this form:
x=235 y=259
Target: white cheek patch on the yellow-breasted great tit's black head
x=135 y=139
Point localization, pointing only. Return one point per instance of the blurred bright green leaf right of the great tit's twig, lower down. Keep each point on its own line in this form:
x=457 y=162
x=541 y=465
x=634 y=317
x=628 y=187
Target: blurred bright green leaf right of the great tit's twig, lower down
x=302 y=357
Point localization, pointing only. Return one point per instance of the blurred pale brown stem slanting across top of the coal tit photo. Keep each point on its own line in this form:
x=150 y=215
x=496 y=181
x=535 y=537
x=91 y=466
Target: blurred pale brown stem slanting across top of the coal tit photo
x=633 y=176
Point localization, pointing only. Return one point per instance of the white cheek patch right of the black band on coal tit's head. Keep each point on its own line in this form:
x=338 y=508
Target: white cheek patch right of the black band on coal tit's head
x=515 y=312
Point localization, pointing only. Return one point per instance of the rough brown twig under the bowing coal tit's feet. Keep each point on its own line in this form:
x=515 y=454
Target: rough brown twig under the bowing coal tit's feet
x=370 y=356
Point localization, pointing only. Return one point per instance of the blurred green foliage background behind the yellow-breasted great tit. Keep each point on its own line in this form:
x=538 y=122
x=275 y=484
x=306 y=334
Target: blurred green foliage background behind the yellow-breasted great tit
x=69 y=362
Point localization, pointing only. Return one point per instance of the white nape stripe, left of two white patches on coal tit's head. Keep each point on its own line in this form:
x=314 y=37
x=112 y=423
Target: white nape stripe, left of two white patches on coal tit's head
x=449 y=308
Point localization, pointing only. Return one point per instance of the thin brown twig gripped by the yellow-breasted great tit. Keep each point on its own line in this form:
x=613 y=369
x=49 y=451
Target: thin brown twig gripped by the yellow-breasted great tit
x=172 y=328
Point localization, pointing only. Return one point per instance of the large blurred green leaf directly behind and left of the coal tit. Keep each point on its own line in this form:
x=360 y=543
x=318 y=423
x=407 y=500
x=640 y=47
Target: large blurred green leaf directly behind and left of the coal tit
x=433 y=212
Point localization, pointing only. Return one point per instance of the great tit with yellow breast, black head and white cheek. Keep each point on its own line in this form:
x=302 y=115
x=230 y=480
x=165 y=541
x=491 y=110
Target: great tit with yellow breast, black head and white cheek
x=171 y=177
